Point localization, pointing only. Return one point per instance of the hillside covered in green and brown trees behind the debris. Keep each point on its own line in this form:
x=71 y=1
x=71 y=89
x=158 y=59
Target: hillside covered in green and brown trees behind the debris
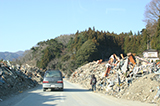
x=68 y=52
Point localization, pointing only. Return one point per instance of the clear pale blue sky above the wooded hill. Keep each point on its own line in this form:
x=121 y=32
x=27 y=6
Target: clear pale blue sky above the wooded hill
x=24 y=23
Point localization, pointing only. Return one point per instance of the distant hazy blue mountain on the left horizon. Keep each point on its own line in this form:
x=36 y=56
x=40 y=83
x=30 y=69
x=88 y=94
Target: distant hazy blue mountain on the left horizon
x=10 y=55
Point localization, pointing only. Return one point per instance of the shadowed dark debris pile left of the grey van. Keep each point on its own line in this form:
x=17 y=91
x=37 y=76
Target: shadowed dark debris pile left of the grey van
x=16 y=79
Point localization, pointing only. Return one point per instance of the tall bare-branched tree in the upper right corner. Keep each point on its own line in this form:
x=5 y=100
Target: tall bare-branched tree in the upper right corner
x=152 y=14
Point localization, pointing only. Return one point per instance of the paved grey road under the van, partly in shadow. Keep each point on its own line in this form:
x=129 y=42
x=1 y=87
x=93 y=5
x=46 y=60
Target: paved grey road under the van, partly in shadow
x=73 y=95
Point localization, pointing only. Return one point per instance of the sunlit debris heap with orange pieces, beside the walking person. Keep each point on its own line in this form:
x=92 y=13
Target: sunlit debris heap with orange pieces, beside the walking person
x=130 y=77
